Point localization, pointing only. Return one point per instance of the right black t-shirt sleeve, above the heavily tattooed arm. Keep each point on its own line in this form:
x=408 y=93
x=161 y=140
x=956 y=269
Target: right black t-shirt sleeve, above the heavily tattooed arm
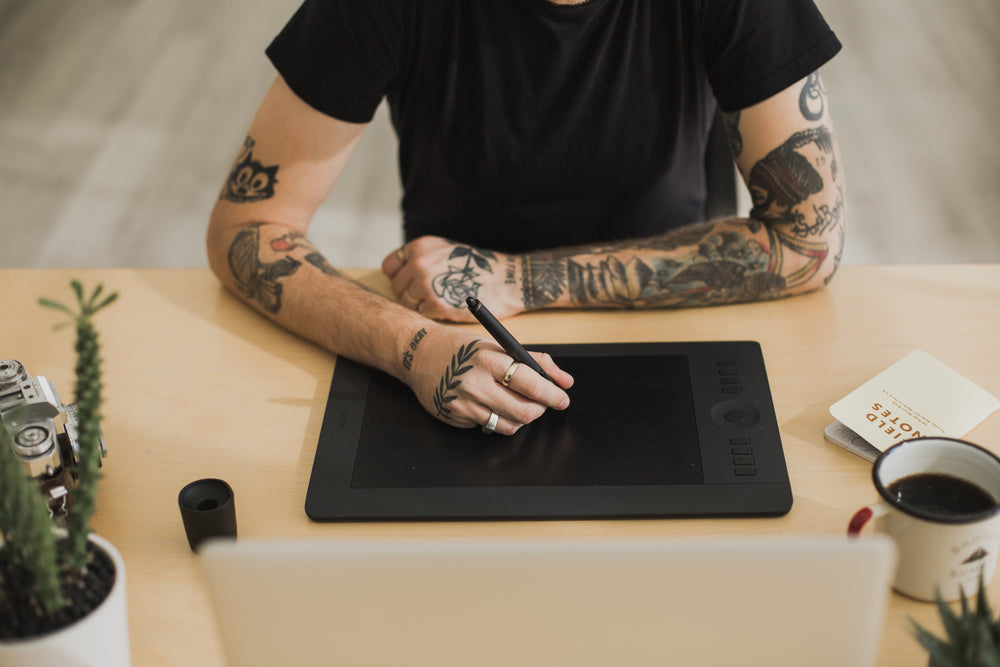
x=755 y=49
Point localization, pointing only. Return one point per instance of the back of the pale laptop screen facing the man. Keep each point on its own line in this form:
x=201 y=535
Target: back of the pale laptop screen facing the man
x=550 y=602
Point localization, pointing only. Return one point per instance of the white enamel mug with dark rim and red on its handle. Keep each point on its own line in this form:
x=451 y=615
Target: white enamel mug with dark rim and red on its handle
x=938 y=550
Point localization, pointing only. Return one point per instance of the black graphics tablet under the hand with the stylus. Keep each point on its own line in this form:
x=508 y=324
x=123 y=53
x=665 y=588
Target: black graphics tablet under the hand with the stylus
x=653 y=430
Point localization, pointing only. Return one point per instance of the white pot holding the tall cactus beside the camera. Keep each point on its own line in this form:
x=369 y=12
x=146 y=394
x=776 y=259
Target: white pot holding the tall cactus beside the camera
x=99 y=639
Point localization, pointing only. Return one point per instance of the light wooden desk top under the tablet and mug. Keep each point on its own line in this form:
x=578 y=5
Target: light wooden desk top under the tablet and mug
x=200 y=386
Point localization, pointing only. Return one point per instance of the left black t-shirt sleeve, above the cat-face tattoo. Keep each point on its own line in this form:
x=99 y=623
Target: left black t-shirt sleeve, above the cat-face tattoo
x=340 y=56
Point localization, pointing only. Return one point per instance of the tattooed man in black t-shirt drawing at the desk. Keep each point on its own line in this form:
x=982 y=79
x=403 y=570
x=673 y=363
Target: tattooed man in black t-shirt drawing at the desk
x=551 y=155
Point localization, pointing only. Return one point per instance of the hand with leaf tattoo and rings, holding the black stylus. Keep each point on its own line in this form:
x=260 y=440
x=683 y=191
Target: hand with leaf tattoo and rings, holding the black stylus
x=458 y=377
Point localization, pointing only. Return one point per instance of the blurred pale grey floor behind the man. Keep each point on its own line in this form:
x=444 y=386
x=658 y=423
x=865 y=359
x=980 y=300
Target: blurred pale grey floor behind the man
x=119 y=120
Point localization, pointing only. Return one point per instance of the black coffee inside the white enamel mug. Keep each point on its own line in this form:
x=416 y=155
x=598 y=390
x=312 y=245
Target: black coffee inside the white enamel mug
x=941 y=495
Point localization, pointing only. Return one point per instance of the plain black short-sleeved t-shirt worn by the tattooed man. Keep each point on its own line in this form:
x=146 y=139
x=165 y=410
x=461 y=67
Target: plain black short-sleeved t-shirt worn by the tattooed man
x=524 y=125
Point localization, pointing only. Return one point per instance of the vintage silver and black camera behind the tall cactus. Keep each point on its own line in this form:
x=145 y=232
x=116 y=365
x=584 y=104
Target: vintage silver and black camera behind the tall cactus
x=42 y=430
